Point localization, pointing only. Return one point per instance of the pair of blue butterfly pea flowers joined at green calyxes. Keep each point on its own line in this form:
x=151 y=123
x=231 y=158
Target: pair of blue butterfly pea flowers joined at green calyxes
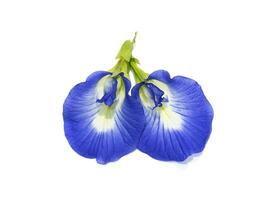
x=166 y=118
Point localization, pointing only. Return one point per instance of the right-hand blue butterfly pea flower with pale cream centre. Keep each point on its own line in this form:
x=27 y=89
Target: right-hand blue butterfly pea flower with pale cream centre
x=178 y=116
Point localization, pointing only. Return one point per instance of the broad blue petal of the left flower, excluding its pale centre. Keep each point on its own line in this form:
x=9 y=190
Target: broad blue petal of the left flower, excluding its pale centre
x=80 y=111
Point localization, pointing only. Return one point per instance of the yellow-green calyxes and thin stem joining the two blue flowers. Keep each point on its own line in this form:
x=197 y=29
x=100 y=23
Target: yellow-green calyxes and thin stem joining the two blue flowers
x=127 y=63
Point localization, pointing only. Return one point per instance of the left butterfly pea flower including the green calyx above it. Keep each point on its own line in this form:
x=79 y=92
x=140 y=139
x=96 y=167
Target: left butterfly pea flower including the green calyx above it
x=101 y=120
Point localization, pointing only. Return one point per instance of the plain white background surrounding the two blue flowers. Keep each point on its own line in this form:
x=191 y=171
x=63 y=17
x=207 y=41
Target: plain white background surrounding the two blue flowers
x=46 y=47
